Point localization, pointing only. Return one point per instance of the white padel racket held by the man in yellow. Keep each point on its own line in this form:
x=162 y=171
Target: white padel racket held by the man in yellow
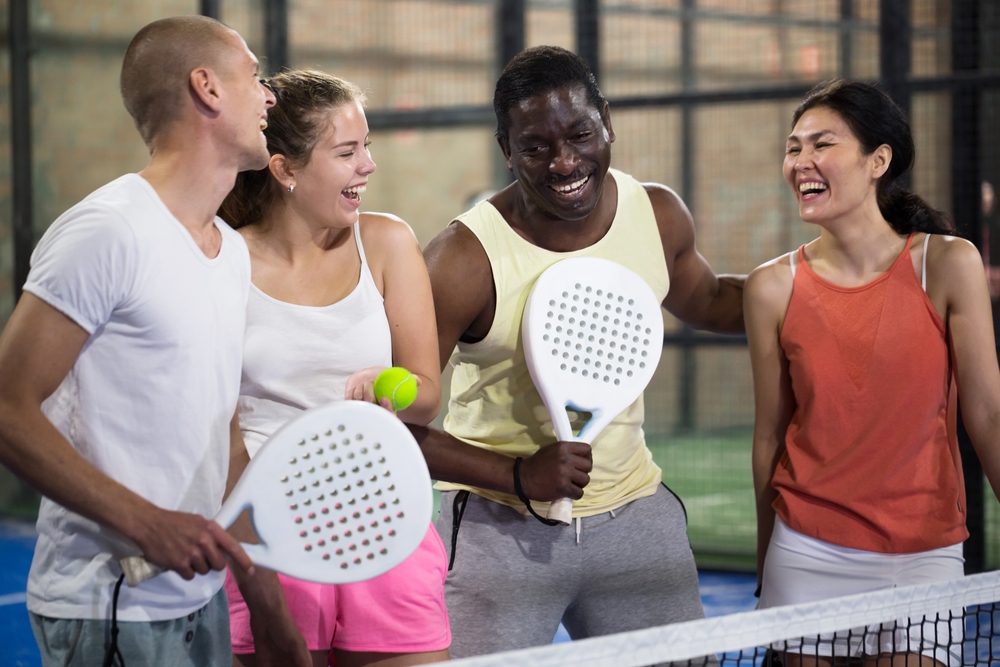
x=592 y=333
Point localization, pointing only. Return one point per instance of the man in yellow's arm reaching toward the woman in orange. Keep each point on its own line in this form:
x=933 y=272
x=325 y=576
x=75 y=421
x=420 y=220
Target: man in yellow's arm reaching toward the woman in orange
x=697 y=295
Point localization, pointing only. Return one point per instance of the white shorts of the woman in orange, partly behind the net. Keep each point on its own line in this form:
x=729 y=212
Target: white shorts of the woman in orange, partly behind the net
x=799 y=568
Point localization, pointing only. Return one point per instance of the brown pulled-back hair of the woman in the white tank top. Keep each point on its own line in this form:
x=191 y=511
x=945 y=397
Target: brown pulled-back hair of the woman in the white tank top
x=304 y=101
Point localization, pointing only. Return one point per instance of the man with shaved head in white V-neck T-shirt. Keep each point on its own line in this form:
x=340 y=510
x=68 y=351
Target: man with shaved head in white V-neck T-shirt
x=120 y=366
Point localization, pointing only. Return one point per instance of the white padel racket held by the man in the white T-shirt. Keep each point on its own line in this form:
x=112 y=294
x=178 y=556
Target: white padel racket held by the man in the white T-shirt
x=339 y=494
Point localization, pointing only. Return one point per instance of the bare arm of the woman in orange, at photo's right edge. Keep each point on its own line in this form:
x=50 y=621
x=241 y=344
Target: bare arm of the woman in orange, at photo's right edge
x=955 y=267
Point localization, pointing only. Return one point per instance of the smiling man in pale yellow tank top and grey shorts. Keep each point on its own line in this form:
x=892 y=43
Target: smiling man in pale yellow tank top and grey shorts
x=626 y=563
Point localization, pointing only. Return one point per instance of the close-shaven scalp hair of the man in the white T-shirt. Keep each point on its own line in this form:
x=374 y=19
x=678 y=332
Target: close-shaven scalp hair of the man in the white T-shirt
x=158 y=65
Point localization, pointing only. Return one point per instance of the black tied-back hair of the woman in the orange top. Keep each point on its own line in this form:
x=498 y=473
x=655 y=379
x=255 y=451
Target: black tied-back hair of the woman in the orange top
x=875 y=120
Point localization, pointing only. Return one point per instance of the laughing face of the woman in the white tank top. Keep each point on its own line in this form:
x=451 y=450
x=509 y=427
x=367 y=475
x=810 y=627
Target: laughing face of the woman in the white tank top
x=328 y=188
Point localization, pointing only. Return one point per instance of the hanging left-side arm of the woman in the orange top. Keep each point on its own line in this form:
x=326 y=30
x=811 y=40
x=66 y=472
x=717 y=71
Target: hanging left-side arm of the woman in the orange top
x=768 y=290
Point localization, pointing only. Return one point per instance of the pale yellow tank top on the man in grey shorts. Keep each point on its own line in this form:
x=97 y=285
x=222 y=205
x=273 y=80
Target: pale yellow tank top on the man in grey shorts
x=494 y=403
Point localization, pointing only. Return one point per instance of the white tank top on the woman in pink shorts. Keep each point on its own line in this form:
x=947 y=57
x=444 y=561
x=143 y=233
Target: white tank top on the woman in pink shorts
x=297 y=357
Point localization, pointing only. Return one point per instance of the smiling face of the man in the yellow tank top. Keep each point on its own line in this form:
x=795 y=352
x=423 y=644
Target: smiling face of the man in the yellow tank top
x=559 y=150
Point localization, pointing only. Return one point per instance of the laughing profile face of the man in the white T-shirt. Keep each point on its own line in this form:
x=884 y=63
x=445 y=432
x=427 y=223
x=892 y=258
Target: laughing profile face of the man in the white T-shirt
x=248 y=101
